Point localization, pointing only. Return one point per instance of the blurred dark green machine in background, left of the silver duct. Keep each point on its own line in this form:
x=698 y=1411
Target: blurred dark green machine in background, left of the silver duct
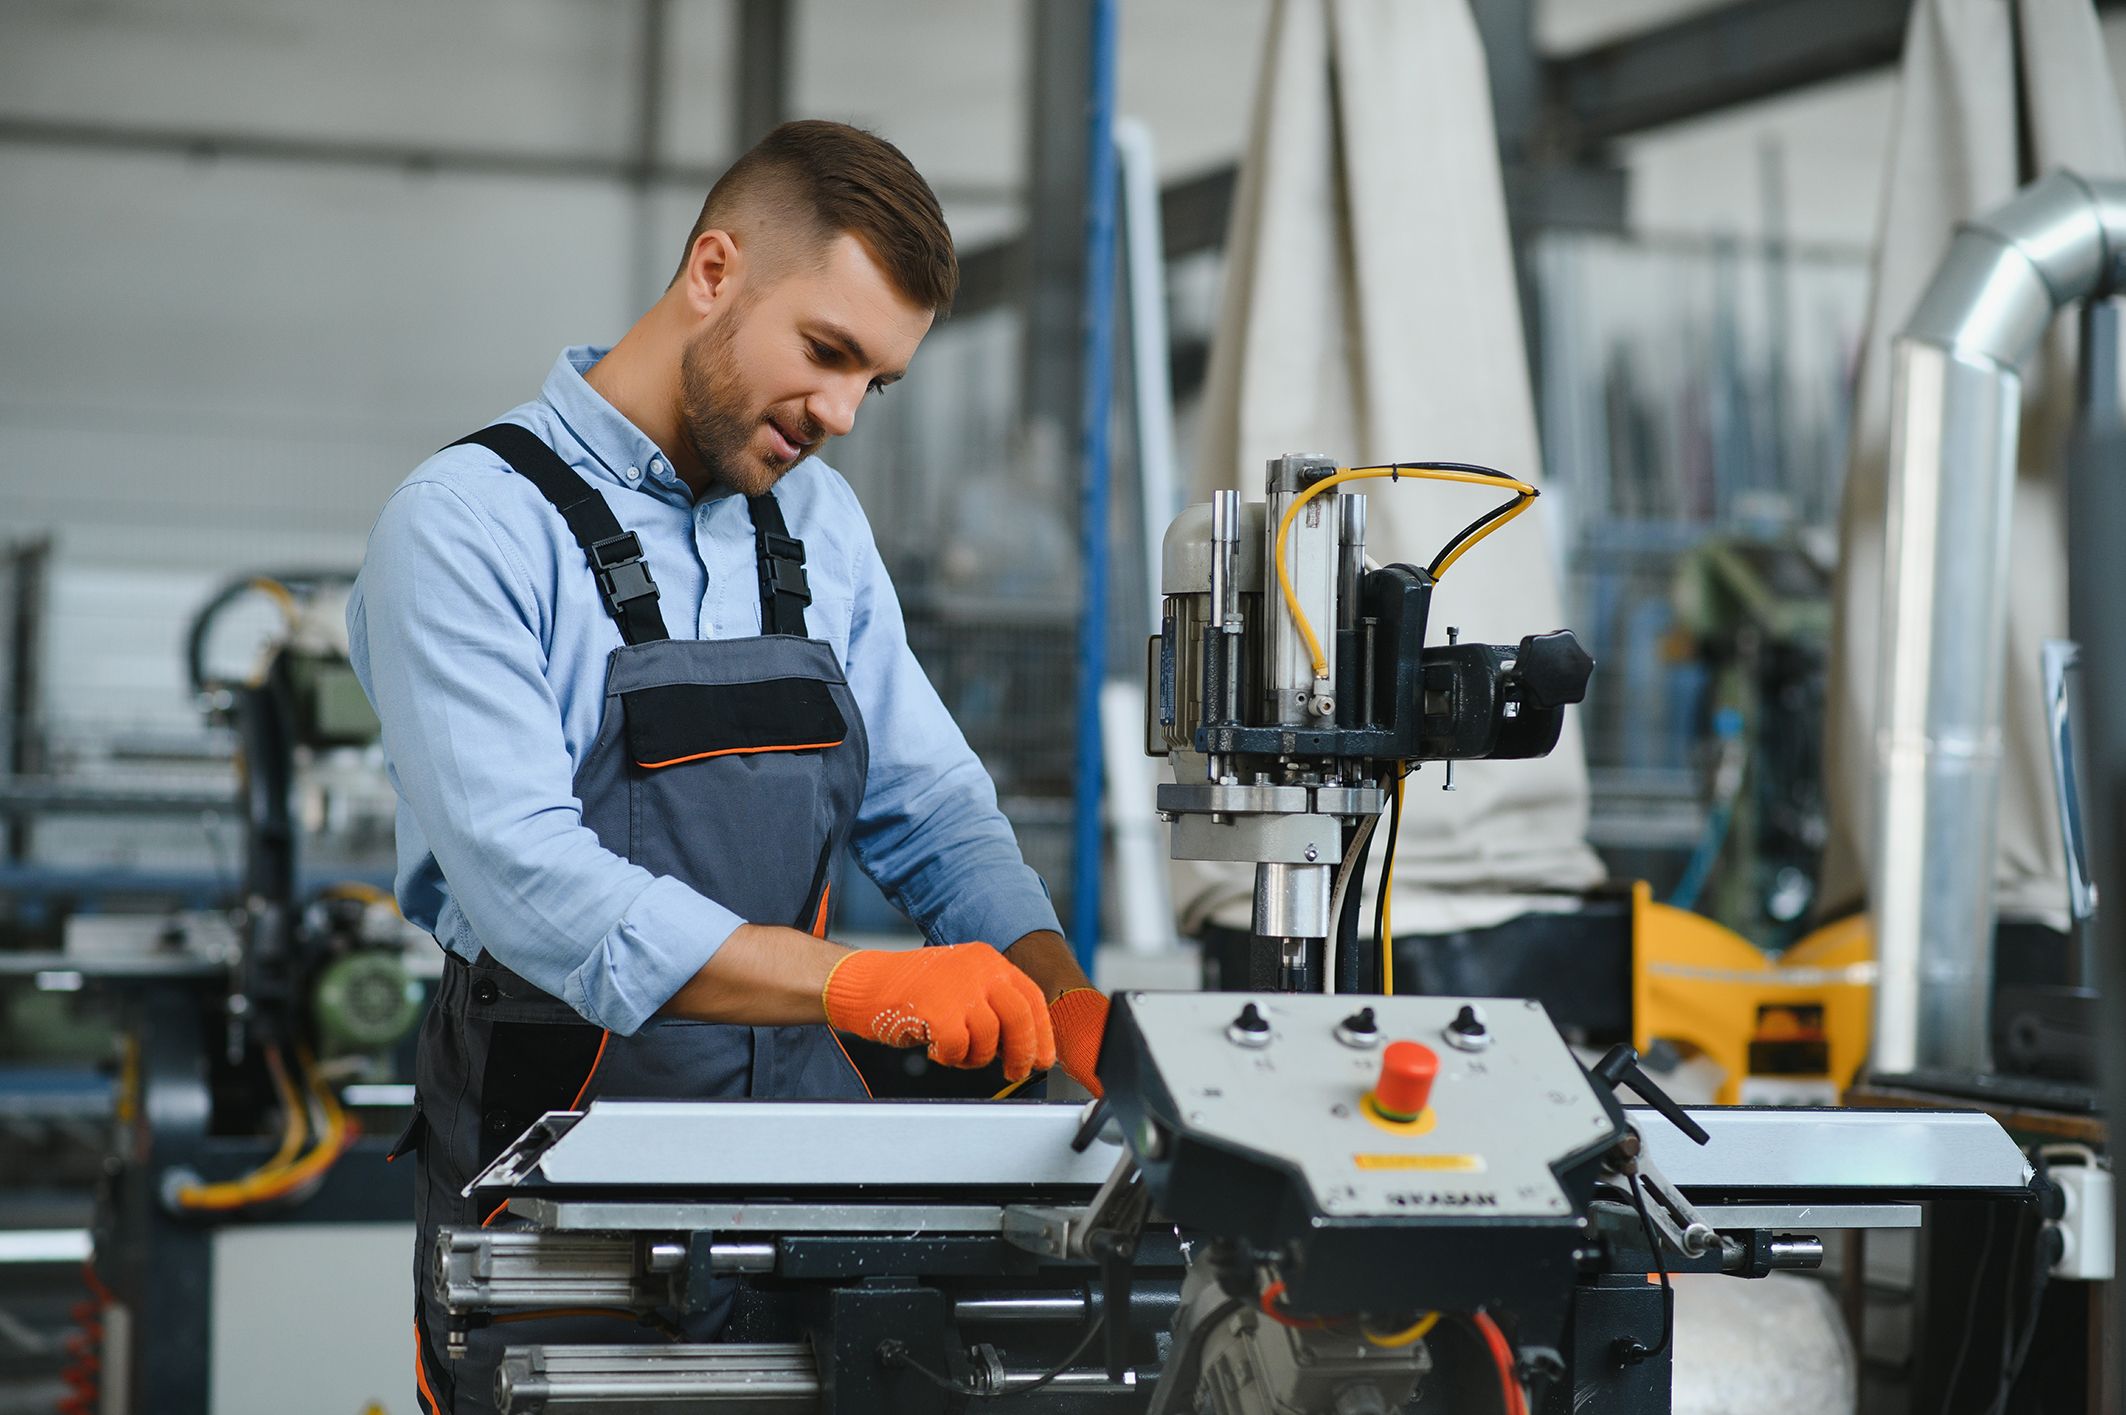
x=1757 y=615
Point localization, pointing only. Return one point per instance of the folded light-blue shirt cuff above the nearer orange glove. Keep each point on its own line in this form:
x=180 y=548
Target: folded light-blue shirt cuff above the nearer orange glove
x=662 y=940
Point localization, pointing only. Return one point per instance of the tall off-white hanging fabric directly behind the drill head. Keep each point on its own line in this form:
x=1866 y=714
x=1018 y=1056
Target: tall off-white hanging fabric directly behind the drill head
x=1370 y=316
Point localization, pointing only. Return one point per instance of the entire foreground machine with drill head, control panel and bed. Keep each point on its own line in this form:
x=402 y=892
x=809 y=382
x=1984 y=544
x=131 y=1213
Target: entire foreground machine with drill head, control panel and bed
x=1287 y=1201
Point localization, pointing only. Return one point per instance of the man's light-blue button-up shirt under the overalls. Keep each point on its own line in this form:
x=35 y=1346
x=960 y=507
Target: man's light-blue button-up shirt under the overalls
x=482 y=641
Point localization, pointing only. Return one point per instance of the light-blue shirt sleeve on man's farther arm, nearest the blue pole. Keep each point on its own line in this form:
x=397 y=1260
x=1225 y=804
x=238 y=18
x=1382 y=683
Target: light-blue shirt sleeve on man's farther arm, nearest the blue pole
x=930 y=832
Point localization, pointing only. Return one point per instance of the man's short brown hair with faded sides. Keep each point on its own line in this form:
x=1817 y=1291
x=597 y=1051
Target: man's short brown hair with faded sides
x=811 y=182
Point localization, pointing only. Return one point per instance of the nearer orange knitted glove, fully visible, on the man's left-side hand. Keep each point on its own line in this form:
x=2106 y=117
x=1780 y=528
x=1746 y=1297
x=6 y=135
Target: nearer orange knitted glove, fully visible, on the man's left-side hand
x=964 y=1002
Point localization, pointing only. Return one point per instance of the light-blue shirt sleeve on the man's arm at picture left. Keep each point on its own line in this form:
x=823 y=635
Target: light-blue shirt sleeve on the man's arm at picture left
x=445 y=632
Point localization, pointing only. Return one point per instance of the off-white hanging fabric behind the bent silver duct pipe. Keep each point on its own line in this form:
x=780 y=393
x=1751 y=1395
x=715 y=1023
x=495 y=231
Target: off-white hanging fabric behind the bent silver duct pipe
x=1993 y=95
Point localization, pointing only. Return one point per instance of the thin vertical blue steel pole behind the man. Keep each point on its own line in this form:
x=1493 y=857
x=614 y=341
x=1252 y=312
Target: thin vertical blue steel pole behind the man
x=1100 y=203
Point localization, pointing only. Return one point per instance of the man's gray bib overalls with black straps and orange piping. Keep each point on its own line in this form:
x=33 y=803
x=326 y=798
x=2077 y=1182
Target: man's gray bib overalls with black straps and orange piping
x=730 y=766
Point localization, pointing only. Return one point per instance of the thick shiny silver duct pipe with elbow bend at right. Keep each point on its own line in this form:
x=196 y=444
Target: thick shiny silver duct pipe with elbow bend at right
x=1955 y=403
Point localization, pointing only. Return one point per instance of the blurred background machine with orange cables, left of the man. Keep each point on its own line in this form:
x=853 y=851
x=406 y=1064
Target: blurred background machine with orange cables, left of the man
x=260 y=1057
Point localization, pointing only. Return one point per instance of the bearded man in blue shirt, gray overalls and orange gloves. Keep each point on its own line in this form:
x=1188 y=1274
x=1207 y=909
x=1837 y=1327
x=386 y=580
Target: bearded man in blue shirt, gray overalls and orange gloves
x=643 y=677
